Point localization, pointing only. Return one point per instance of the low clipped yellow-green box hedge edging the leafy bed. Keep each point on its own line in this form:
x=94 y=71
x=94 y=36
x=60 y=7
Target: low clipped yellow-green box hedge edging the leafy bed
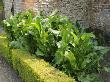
x=30 y=68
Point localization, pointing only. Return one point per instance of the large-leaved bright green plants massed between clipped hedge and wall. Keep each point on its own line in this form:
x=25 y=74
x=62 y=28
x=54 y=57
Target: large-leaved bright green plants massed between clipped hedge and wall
x=65 y=45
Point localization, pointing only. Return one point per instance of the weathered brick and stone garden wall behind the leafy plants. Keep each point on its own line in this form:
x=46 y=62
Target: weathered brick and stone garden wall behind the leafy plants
x=90 y=13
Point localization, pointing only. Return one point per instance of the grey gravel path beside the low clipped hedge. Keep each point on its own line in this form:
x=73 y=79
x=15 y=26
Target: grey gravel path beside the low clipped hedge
x=6 y=72
